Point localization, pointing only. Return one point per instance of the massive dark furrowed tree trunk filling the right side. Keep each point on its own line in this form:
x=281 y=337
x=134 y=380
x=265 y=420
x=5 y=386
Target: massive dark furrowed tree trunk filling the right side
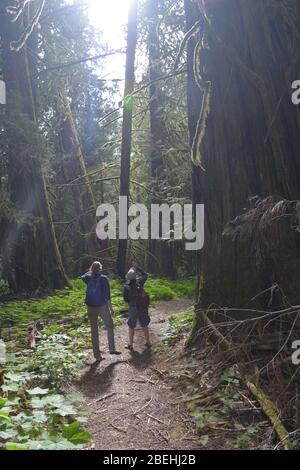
x=252 y=140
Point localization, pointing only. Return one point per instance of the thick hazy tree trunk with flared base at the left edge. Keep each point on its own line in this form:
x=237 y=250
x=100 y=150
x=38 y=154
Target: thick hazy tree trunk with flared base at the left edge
x=32 y=257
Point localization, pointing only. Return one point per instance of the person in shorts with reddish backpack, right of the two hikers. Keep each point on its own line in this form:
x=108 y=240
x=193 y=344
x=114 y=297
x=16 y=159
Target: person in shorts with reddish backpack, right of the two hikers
x=138 y=302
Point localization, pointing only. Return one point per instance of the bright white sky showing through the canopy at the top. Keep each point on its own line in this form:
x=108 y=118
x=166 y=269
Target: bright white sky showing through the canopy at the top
x=110 y=17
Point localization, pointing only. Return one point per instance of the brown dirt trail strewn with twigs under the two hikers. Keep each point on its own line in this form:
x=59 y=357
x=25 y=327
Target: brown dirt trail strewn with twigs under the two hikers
x=131 y=405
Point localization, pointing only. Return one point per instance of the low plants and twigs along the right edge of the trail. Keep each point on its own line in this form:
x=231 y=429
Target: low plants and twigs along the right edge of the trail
x=225 y=413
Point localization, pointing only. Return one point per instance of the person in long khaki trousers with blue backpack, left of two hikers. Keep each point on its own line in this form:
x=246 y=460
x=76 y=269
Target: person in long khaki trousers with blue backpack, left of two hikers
x=99 y=303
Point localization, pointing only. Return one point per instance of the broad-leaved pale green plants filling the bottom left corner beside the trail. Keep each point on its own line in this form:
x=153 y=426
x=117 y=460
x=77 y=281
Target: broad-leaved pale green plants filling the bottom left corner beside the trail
x=34 y=412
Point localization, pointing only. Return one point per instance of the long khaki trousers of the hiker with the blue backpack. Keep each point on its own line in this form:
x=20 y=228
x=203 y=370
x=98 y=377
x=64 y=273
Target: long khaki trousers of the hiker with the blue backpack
x=93 y=314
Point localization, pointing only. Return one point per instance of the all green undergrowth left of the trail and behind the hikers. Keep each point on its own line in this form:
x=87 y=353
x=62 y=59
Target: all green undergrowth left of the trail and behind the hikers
x=35 y=413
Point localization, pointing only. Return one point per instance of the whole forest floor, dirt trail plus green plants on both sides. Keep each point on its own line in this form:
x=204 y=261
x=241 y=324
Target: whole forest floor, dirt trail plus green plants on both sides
x=164 y=398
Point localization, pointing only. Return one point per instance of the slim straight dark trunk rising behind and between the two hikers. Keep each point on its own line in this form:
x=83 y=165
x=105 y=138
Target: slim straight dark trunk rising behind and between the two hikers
x=127 y=125
